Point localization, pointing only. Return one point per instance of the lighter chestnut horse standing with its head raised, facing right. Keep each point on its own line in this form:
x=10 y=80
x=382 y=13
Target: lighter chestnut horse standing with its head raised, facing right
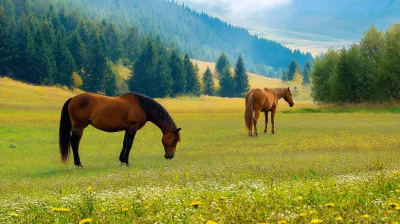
x=264 y=101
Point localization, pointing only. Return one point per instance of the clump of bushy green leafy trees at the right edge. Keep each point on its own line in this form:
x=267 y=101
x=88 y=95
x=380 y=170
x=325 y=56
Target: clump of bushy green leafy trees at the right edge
x=366 y=71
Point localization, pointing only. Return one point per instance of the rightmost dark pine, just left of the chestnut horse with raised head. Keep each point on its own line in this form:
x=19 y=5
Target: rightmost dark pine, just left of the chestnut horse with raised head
x=241 y=78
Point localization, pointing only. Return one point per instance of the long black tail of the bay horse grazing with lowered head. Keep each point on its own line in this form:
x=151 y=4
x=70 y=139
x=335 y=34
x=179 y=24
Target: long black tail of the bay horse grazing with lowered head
x=65 y=132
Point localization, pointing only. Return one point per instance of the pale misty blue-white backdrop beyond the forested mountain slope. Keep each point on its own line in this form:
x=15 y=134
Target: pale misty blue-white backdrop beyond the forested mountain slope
x=309 y=25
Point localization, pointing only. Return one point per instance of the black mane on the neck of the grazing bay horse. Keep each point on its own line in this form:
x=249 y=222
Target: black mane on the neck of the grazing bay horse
x=156 y=113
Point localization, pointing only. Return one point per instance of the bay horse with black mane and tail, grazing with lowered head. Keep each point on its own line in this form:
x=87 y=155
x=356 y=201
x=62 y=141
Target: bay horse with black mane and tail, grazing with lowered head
x=128 y=112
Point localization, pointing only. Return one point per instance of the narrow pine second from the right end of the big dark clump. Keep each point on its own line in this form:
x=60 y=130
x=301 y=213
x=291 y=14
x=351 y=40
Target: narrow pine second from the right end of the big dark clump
x=177 y=73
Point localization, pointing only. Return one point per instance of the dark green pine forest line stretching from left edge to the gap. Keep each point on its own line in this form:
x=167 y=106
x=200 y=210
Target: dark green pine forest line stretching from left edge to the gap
x=50 y=46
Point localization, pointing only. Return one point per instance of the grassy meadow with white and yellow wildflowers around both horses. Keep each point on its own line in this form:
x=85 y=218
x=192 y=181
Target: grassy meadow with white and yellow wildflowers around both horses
x=325 y=167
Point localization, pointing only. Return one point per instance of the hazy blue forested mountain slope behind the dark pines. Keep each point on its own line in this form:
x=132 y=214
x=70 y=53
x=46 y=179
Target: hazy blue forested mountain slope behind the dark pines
x=202 y=36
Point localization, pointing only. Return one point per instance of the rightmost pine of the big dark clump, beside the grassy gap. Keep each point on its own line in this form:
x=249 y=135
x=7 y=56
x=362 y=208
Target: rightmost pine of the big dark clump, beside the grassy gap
x=192 y=80
